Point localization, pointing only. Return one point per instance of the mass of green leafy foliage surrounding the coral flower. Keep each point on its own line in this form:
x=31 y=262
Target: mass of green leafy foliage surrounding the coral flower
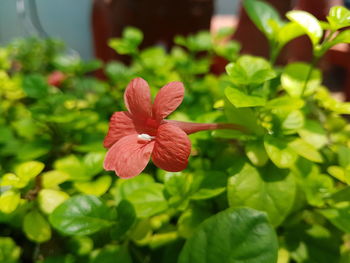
x=286 y=174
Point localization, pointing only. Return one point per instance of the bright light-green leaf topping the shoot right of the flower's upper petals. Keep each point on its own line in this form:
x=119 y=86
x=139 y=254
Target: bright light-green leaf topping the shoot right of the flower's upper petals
x=250 y=70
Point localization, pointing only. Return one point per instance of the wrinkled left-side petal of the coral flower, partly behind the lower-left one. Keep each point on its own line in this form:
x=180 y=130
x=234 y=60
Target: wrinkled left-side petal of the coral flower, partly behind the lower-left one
x=120 y=125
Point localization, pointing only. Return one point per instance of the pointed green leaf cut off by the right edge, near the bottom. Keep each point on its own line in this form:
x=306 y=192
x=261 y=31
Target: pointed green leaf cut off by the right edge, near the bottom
x=338 y=216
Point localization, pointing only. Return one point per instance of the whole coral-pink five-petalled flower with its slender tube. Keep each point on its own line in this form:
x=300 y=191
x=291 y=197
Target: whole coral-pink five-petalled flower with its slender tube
x=141 y=133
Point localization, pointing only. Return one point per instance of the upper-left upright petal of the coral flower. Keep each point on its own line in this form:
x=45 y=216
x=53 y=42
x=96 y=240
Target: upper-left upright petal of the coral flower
x=137 y=98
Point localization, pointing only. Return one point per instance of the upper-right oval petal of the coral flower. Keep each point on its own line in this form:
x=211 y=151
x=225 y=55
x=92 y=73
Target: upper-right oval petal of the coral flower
x=168 y=99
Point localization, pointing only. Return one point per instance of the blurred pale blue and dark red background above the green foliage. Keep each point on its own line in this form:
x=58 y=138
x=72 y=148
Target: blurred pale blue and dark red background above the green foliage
x=87 y=25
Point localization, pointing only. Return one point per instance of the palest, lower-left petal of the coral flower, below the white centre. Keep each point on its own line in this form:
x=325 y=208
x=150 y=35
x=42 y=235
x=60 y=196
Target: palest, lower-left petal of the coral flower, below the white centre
x=128 y=156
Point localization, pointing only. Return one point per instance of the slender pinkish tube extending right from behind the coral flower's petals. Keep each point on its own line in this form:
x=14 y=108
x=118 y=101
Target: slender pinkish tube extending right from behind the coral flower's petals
x=190 y=127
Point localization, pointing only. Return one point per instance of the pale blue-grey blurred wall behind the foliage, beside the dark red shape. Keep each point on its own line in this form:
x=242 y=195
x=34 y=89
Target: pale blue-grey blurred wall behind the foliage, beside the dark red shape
x=72 y=24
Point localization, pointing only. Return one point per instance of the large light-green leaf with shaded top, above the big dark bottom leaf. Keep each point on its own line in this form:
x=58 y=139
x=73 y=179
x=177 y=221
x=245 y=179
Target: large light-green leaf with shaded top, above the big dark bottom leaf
x=271 y=190
